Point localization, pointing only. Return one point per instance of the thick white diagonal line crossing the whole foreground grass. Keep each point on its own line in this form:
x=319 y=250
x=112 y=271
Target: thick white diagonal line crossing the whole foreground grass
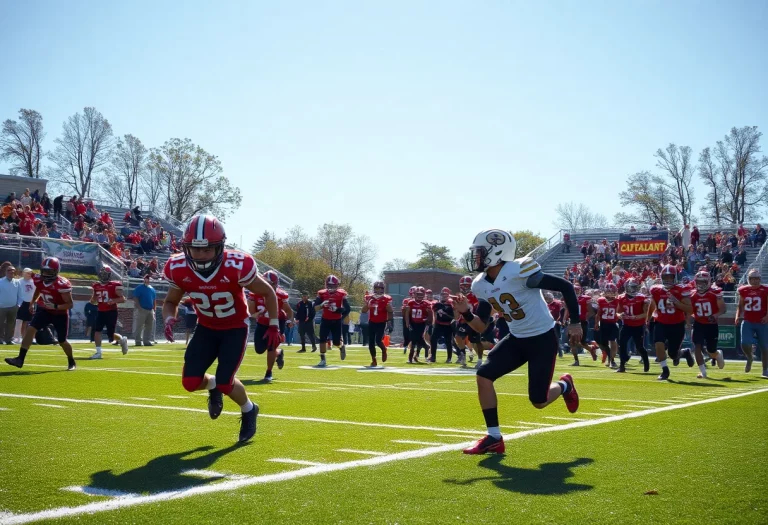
x=226 y=486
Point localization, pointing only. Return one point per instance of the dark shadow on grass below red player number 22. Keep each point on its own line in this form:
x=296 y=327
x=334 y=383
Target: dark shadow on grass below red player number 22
x=163 y=473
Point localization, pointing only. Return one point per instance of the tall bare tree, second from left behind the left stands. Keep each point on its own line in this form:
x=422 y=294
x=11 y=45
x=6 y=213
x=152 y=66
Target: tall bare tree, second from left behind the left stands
x=82 y=150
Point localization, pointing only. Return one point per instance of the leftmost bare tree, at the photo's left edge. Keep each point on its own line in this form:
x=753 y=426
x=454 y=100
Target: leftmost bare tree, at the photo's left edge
x=20 y=143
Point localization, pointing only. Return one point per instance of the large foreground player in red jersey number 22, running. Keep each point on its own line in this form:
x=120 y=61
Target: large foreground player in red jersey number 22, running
x=214 y=278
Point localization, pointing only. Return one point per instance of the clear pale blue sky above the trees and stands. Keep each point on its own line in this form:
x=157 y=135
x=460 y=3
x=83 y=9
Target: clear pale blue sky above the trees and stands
x=367 y=112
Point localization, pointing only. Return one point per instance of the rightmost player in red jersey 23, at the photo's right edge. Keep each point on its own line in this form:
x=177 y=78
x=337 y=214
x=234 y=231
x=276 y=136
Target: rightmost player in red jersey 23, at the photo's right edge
x=752 y=313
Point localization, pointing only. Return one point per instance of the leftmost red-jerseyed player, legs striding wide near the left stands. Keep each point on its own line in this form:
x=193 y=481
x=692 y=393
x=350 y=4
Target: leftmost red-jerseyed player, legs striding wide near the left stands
x=53 y=295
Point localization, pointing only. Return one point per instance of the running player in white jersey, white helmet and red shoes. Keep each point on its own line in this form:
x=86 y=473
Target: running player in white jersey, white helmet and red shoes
x=513 y=288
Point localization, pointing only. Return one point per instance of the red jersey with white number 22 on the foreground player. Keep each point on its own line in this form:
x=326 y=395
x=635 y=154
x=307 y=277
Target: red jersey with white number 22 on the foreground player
x=219 y=299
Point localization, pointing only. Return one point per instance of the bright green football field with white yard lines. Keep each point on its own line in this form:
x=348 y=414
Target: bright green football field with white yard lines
x=120 y=441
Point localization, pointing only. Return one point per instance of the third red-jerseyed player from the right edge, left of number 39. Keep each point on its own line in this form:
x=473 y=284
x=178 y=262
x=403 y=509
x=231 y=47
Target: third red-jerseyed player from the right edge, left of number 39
x=670 y=303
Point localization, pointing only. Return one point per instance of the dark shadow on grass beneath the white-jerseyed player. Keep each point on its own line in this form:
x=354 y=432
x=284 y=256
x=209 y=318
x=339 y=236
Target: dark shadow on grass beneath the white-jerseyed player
x=548 y=480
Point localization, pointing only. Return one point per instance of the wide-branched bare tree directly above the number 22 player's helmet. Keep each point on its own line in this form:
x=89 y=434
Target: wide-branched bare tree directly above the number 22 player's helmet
x=192 y=181
